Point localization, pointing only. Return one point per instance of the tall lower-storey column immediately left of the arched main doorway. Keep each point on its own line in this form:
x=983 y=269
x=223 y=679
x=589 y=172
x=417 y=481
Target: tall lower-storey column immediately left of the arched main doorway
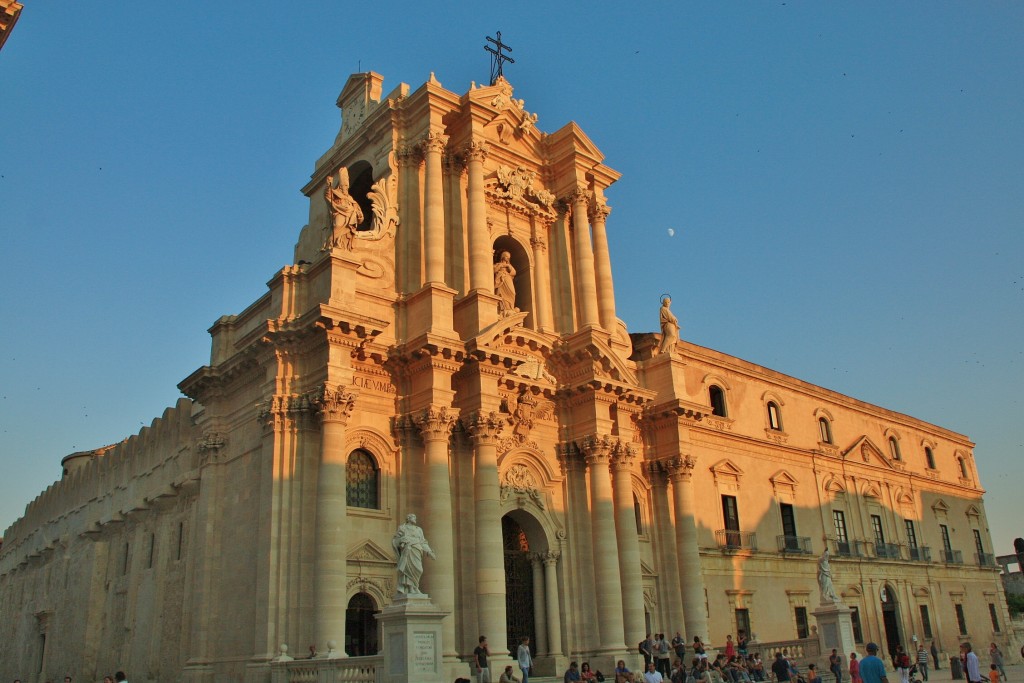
x=485 y=429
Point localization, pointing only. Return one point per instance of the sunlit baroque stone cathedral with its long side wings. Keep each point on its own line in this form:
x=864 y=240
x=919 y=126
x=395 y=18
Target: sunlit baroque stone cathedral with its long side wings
x=447 y=345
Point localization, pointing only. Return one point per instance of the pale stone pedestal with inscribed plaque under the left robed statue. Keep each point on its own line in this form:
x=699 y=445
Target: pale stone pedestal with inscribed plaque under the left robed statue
x=412 y=642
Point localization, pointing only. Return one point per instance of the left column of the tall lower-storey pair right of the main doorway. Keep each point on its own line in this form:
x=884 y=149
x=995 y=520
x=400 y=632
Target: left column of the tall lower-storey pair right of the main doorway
x=608 y=584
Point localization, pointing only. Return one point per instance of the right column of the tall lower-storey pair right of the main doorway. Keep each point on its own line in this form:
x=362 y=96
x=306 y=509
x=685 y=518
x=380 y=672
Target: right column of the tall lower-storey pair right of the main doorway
x=629 y=544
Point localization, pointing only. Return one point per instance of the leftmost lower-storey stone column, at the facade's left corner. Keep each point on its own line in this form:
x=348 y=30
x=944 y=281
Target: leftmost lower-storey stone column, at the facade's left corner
x=332 y=521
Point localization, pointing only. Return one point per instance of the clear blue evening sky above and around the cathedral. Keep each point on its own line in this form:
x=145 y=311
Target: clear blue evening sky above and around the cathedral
x=844 y=183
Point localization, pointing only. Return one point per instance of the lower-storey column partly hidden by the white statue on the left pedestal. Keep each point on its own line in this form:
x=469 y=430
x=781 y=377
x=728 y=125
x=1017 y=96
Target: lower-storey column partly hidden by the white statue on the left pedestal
x=436 y=428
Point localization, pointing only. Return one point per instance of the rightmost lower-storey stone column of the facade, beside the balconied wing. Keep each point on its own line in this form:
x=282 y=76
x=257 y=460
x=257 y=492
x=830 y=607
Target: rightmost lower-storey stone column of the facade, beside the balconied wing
x=688 y=552
